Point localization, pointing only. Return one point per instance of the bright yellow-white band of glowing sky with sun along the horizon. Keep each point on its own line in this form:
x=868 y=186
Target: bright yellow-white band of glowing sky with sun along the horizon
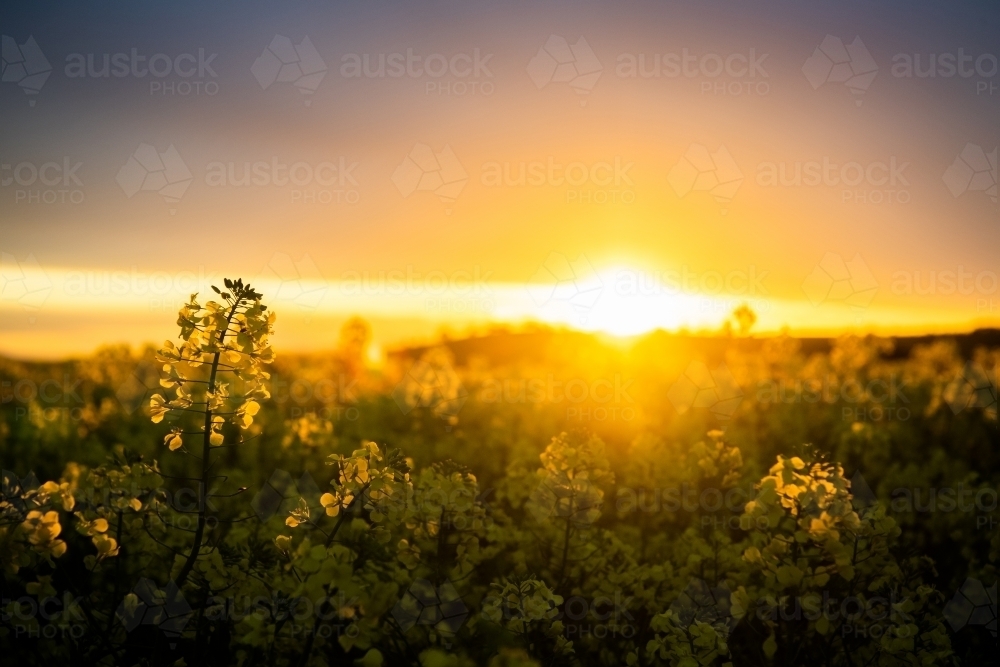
x=619 y=300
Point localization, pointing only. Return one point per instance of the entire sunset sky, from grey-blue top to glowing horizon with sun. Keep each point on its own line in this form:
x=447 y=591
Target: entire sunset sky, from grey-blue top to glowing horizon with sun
x=431 y=166
